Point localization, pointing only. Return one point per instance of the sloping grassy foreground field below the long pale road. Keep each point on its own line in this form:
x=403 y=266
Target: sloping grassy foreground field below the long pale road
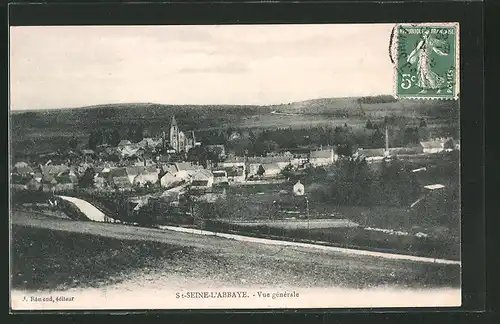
x=99 y=255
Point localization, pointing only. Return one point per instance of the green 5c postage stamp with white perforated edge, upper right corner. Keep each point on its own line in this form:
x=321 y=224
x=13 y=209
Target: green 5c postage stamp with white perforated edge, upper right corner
x=426 y=61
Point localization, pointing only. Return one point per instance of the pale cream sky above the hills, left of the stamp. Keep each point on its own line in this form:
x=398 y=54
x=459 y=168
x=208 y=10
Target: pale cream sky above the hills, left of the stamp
x=74 y=66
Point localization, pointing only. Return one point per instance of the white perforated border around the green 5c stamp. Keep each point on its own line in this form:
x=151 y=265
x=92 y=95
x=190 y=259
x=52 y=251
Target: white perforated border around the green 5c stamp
x=394 y=54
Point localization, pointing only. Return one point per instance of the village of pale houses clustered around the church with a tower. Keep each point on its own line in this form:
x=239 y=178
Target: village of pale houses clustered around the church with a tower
x=175 y=162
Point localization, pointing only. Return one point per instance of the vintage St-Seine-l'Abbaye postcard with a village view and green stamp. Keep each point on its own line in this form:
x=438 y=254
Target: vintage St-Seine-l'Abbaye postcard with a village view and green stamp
x=234 y=167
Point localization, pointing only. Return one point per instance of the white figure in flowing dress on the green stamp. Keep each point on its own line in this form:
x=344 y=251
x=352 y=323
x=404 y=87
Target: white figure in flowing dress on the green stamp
x=427 y=79
